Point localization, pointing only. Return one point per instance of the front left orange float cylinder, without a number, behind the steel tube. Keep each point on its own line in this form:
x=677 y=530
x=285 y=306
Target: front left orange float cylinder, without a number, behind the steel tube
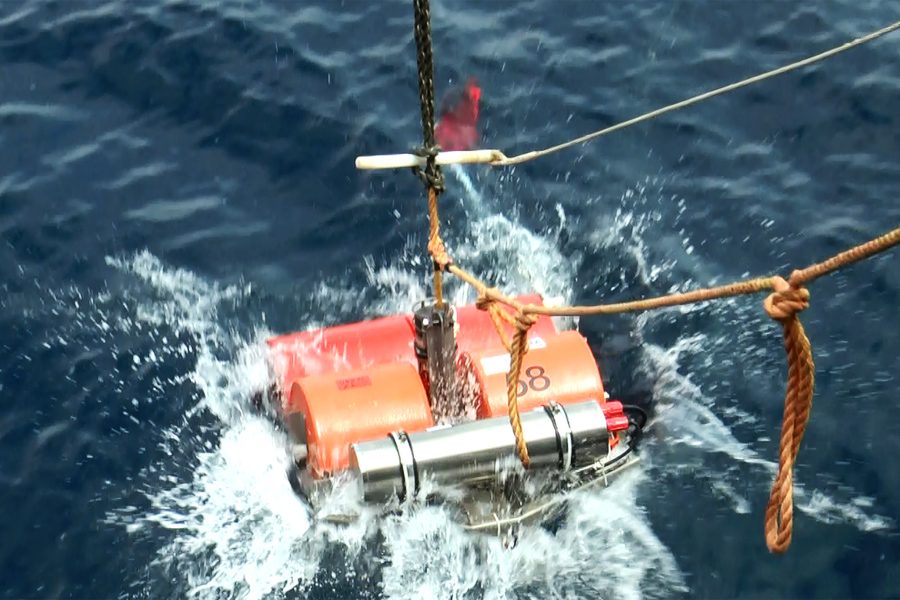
x=343 y=408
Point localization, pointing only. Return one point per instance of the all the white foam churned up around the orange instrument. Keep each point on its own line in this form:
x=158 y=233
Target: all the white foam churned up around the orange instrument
x=235 y=528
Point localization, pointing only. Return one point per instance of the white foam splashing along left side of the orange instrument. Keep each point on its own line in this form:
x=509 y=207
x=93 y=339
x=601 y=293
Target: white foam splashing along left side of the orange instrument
x=236 y=526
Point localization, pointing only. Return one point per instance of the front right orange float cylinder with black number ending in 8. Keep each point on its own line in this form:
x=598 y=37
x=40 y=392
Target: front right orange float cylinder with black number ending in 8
x=560 y=368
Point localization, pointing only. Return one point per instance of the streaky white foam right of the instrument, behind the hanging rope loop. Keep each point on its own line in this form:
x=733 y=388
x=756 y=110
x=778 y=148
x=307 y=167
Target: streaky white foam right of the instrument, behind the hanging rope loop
x=687 y=415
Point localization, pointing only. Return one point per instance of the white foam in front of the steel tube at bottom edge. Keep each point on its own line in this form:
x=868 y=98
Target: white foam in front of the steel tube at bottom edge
x=607 y=524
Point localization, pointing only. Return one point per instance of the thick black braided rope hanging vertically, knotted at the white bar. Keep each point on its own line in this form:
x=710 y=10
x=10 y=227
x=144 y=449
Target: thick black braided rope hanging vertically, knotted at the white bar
x=432 y=177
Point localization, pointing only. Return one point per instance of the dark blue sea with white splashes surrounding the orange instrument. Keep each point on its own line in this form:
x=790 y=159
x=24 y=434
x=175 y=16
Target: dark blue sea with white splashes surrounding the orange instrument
x=177 y=183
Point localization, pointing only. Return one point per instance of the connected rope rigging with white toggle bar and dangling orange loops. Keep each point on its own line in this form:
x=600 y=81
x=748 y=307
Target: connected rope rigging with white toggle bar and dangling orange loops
x=786 y=298
